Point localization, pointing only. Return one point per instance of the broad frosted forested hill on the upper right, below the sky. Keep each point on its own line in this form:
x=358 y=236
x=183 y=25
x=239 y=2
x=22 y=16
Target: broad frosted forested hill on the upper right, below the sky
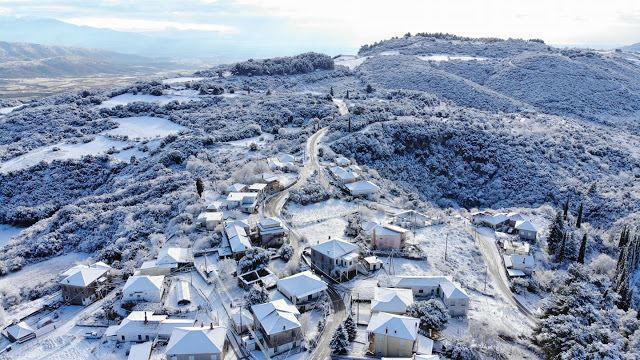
x=590 y=84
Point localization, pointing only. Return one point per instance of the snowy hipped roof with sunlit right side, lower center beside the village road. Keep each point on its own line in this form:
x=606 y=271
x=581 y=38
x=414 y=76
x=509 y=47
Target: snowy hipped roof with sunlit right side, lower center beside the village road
x=276 y=316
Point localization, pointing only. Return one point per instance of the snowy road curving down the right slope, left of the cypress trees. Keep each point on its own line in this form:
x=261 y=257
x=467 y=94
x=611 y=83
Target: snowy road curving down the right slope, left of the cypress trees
x=492 y=258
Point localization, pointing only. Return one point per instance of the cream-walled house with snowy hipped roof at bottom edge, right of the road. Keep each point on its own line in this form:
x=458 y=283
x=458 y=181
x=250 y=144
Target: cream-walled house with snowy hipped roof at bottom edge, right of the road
x=392 y=335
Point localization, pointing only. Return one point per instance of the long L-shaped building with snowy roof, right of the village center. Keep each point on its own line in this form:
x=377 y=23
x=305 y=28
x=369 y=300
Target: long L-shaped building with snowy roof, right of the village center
x=453 y=296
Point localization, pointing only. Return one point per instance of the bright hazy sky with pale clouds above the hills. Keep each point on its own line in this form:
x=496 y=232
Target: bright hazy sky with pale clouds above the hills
x=353 y=23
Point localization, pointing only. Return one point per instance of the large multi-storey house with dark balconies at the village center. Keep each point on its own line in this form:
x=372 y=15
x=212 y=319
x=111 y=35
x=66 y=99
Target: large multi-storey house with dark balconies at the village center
x=336 y=258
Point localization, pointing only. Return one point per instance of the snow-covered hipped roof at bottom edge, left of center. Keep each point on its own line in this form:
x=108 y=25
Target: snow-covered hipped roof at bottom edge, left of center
x=197 y=340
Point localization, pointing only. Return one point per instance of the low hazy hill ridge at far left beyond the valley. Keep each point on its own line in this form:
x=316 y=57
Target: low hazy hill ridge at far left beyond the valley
x=25 y=60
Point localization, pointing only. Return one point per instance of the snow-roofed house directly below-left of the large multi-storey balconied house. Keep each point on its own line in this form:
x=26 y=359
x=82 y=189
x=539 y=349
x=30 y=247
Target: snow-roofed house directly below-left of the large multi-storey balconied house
x=302 y=289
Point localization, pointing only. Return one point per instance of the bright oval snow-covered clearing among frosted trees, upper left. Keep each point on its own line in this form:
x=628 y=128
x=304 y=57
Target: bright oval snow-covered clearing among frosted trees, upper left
x=144 y=127
